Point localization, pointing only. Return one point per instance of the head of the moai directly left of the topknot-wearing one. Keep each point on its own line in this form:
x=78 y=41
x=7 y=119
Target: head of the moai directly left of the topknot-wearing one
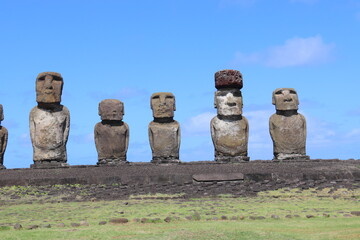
x=163 y=105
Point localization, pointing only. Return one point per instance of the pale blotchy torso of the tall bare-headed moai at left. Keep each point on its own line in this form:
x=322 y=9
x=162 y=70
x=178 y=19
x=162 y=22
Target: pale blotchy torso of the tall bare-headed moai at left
x=49 y=131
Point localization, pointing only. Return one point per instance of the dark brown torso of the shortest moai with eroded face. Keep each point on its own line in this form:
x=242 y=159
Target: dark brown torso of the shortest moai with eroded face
x=110 y=140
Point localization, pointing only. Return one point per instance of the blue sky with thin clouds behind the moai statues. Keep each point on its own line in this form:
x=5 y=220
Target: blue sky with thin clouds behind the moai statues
x=130 y=49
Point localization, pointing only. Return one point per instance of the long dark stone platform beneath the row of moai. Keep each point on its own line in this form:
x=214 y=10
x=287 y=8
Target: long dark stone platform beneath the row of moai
x=193 y=178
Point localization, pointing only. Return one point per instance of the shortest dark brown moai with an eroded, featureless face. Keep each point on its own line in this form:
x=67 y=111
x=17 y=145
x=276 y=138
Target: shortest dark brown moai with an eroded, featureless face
x=111 y=134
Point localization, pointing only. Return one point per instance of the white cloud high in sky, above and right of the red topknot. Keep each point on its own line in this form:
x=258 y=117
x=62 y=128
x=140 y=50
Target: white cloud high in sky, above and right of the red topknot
x=294 y=52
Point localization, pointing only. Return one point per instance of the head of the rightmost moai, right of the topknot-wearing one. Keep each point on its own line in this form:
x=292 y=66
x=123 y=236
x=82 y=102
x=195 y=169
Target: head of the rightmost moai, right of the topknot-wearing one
x=285 y=99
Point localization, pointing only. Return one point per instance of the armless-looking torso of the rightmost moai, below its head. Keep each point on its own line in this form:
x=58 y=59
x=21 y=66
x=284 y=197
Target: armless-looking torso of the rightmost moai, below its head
x=288 y=134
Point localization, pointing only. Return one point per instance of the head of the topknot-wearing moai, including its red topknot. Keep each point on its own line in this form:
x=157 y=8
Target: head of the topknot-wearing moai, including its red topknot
x=228 y=98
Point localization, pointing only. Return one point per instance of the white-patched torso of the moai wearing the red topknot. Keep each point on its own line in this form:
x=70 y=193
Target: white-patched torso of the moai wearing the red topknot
x=230 y=138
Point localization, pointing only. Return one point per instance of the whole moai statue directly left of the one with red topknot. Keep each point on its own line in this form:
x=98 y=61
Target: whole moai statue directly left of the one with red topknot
x=164 y=131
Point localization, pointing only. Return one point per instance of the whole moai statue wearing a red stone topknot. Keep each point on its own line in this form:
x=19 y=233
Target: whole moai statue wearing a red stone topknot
x=229 y=129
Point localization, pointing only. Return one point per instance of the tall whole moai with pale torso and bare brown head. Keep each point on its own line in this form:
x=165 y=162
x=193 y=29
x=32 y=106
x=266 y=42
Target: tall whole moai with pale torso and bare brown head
x=49 y=123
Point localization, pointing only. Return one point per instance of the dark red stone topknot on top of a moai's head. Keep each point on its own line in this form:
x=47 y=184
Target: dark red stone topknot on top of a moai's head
x=228 y=79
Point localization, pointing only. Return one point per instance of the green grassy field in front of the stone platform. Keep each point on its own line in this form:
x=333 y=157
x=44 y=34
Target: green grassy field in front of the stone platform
x=281 y=214
